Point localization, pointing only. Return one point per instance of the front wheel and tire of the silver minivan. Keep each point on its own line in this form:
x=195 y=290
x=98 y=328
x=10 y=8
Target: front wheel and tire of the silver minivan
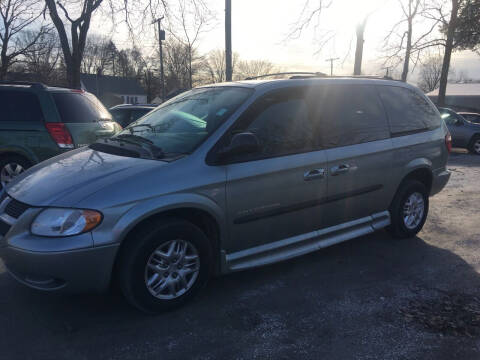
x=164 y=265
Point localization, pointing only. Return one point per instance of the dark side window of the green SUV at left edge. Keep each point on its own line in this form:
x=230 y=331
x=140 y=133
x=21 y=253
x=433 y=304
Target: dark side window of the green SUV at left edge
x=18 y=106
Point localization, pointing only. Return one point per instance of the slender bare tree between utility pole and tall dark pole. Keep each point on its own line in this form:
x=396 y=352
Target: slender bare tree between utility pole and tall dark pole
x=187 y=22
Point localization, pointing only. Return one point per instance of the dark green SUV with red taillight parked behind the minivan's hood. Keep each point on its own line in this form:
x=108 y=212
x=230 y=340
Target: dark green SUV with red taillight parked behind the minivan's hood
x=38 y=122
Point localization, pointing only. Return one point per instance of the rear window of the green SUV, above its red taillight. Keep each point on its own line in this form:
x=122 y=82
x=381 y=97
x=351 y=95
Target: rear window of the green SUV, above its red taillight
x=80 y=107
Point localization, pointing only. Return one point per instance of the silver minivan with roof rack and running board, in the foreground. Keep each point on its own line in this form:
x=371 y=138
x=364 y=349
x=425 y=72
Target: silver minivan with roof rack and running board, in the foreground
x=224 y=178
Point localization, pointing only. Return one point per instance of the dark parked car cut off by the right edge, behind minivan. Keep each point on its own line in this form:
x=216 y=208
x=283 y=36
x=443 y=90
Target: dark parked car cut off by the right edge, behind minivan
x=465 y=134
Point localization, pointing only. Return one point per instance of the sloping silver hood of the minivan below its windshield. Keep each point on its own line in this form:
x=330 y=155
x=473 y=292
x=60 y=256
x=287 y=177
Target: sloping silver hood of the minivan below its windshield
x=68 y=178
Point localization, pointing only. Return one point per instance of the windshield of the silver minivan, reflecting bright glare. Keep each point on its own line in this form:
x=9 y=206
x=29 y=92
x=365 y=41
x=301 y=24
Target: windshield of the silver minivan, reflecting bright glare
x=182 y=123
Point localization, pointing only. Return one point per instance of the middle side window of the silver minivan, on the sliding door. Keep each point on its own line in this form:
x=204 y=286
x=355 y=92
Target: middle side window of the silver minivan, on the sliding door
x=349 y=114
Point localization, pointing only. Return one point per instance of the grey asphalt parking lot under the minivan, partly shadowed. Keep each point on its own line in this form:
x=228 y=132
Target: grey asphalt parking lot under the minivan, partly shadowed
x=370 y=298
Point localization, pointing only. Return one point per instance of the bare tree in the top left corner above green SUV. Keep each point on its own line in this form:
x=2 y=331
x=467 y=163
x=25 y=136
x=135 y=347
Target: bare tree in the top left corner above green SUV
x=15 y=17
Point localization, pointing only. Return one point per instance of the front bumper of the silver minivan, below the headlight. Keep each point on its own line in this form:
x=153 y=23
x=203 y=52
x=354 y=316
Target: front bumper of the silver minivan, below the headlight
x=74 y=271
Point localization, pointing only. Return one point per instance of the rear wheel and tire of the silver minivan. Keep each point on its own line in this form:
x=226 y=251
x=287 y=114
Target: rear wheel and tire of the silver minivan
x=409 y=210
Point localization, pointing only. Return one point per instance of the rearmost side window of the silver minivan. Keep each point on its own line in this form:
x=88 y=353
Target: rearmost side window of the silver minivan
x=408 y=112
